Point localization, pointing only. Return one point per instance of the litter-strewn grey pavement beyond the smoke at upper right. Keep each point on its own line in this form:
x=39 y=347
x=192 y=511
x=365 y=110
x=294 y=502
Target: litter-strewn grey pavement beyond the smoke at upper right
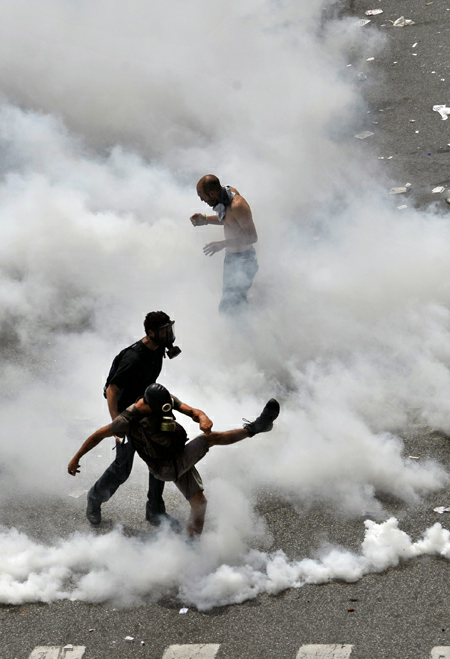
x=404 y=83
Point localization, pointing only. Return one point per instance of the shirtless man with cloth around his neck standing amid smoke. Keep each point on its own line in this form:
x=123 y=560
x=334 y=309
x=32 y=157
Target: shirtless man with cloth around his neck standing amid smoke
x=240 y=264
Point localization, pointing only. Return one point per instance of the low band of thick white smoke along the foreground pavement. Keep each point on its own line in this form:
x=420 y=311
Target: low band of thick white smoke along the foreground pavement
x=91 y=568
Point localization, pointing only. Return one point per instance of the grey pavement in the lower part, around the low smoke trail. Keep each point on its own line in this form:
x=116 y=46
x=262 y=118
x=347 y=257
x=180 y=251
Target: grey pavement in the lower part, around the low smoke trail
x=401 y=613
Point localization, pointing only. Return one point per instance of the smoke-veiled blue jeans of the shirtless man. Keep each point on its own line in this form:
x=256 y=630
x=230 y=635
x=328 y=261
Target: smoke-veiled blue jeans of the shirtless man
x=239 y=271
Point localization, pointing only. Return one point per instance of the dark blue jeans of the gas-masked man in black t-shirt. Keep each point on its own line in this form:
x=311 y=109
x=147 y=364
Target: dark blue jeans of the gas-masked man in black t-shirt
x=118 y=472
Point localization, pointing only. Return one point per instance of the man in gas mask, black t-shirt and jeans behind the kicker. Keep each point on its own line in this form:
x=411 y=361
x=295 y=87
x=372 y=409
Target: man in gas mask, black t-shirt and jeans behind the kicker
x=132 y=371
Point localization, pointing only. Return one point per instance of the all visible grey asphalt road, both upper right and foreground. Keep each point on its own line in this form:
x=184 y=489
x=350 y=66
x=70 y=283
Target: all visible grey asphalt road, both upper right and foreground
x=399 y=614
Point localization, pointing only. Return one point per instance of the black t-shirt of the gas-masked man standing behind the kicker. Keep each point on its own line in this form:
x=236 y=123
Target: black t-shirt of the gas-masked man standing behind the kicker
x=138 y=368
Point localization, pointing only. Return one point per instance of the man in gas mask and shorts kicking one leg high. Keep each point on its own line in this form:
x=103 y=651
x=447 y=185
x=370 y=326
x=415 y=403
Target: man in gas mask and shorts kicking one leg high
x=161 y=442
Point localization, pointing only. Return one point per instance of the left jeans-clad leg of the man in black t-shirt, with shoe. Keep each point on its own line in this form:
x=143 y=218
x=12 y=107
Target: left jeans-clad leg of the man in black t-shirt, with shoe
x=116 y=474
